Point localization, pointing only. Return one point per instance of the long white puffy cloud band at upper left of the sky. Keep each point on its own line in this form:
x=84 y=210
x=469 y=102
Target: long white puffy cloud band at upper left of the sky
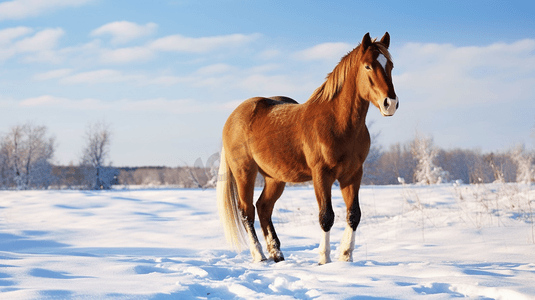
x=41 y=46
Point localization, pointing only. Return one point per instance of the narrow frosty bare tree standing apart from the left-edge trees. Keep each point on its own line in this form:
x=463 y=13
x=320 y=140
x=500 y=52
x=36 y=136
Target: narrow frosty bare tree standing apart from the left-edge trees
x=95 y=155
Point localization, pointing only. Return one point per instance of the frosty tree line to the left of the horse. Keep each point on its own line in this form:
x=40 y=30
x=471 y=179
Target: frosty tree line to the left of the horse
x=27 y=162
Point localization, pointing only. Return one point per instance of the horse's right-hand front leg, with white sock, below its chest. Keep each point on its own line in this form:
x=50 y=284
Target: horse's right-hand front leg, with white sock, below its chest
x=350 y=192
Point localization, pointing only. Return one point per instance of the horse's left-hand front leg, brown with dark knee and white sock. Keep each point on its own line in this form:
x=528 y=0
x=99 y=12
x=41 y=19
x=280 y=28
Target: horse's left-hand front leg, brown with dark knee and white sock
x=322 y=187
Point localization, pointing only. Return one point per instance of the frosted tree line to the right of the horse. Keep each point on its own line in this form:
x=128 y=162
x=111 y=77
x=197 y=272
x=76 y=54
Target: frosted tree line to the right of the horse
x=420 y=162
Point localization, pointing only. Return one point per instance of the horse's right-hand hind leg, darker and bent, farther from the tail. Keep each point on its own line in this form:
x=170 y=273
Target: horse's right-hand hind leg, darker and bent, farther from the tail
x=272 y=191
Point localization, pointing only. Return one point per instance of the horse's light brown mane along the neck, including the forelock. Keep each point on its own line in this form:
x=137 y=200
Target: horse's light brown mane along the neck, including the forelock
x=334 y=80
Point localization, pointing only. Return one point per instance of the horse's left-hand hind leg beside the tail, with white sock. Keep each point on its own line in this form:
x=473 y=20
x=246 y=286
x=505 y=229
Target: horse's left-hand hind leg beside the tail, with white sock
x=245 y=186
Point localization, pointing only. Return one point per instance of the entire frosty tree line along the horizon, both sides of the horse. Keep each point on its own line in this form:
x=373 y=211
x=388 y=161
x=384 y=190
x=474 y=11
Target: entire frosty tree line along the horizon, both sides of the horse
x=27 y=153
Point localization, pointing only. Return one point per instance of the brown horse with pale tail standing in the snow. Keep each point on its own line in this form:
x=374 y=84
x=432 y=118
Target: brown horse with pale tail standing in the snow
x=323 y=140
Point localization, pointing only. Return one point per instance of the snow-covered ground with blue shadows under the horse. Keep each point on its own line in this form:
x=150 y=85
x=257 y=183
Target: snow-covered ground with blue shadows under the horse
x=414 y=242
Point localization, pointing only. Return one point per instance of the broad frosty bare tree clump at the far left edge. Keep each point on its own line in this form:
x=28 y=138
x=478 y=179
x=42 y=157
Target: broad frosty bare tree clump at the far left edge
x=26 y=152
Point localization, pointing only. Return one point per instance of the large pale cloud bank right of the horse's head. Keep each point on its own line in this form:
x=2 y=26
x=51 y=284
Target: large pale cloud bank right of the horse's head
x=476 y=94
